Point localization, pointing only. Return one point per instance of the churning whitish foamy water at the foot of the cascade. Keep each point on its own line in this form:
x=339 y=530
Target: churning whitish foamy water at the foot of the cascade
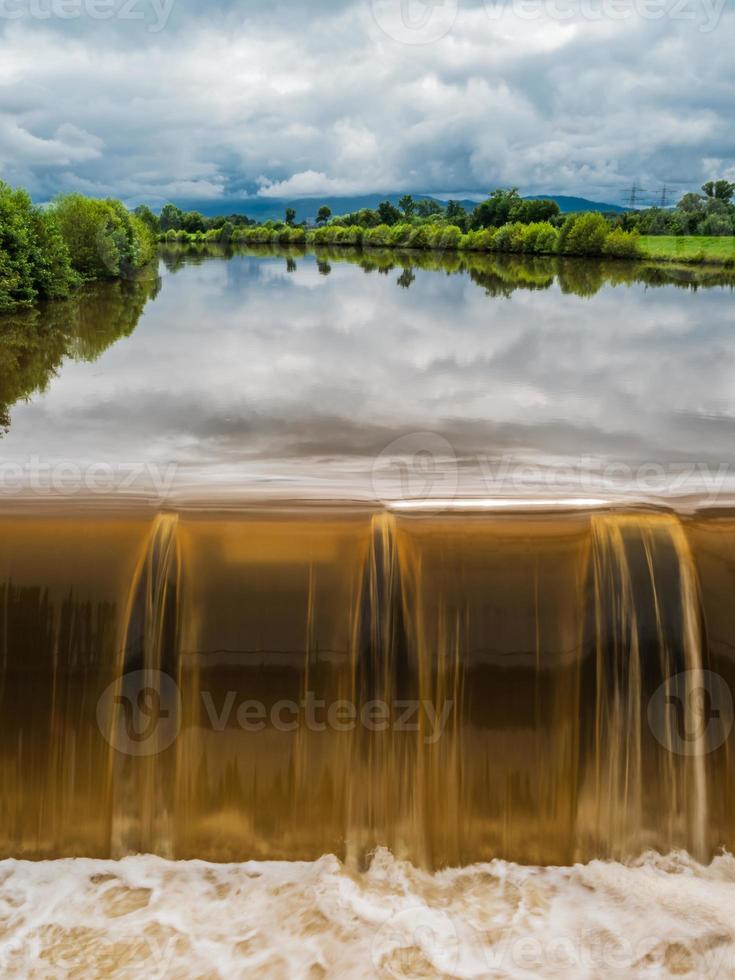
x=144 y=916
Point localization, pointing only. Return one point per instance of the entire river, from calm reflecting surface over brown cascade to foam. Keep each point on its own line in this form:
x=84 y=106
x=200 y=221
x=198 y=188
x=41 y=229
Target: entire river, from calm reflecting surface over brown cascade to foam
x=305 y=557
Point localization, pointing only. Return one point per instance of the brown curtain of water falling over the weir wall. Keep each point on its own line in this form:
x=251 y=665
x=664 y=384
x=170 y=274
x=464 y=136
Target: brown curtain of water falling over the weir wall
x=545 y=687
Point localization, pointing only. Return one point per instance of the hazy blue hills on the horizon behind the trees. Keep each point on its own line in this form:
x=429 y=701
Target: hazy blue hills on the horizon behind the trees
x=265 y=208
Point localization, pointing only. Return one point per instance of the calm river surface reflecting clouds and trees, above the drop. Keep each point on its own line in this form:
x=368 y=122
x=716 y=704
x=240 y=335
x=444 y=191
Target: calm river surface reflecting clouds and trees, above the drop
x=290 y=374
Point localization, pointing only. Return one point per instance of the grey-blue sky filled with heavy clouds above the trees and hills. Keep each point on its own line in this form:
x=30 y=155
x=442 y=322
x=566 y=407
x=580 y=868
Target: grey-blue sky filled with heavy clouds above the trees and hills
x=152 y=100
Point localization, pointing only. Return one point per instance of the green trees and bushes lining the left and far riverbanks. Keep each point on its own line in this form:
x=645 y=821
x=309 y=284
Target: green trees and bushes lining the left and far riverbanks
x=46 y=252
